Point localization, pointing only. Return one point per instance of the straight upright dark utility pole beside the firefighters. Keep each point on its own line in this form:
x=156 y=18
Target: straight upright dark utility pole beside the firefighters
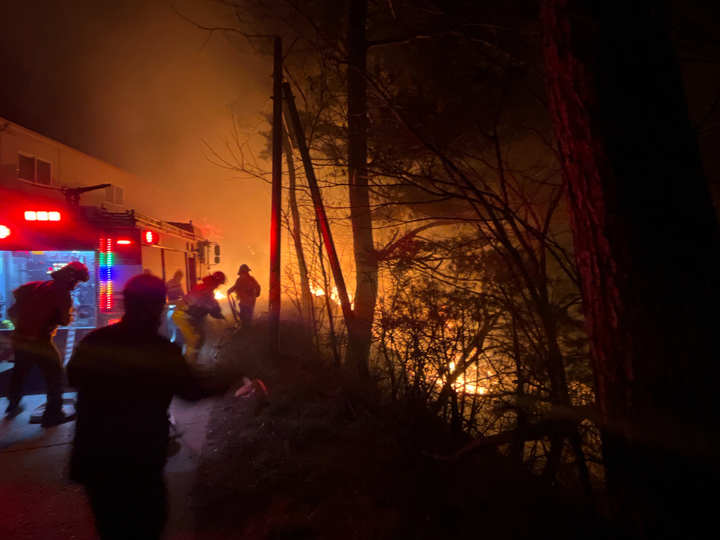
x=275 y=228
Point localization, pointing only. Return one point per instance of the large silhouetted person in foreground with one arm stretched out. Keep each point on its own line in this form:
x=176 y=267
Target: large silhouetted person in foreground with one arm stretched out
x=126 y=374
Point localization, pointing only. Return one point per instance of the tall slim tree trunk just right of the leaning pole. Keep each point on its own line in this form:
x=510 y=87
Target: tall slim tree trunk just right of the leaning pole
x=366 y=264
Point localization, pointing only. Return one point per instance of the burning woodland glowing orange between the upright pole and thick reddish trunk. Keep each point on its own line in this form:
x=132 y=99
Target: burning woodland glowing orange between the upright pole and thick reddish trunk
x=465 y=294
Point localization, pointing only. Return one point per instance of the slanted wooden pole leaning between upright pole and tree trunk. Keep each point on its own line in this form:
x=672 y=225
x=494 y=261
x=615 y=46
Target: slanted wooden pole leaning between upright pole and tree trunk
x=319 y=207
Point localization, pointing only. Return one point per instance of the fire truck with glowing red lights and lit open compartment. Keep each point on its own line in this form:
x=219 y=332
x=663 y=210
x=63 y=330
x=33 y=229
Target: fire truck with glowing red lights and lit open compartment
x=40 y=234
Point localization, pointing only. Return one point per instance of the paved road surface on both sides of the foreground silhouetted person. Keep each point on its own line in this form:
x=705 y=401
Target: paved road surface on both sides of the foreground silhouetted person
x=38 y=503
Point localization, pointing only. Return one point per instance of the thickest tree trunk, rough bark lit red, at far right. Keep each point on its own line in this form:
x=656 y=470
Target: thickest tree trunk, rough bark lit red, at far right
x=647 y=246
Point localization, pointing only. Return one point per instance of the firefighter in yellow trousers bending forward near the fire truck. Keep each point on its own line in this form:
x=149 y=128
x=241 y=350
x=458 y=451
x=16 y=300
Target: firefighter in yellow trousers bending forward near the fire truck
x=191 y=311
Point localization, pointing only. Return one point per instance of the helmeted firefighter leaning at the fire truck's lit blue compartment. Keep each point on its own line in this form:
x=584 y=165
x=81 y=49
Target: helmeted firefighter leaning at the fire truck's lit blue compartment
x=40 y=307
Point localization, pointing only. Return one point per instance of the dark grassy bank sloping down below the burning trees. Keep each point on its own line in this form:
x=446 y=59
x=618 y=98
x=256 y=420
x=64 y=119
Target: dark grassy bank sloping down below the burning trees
x=319 y=460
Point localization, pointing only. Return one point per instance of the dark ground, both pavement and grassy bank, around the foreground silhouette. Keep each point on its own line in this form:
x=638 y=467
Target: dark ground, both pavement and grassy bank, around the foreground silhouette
x=314 y=459
